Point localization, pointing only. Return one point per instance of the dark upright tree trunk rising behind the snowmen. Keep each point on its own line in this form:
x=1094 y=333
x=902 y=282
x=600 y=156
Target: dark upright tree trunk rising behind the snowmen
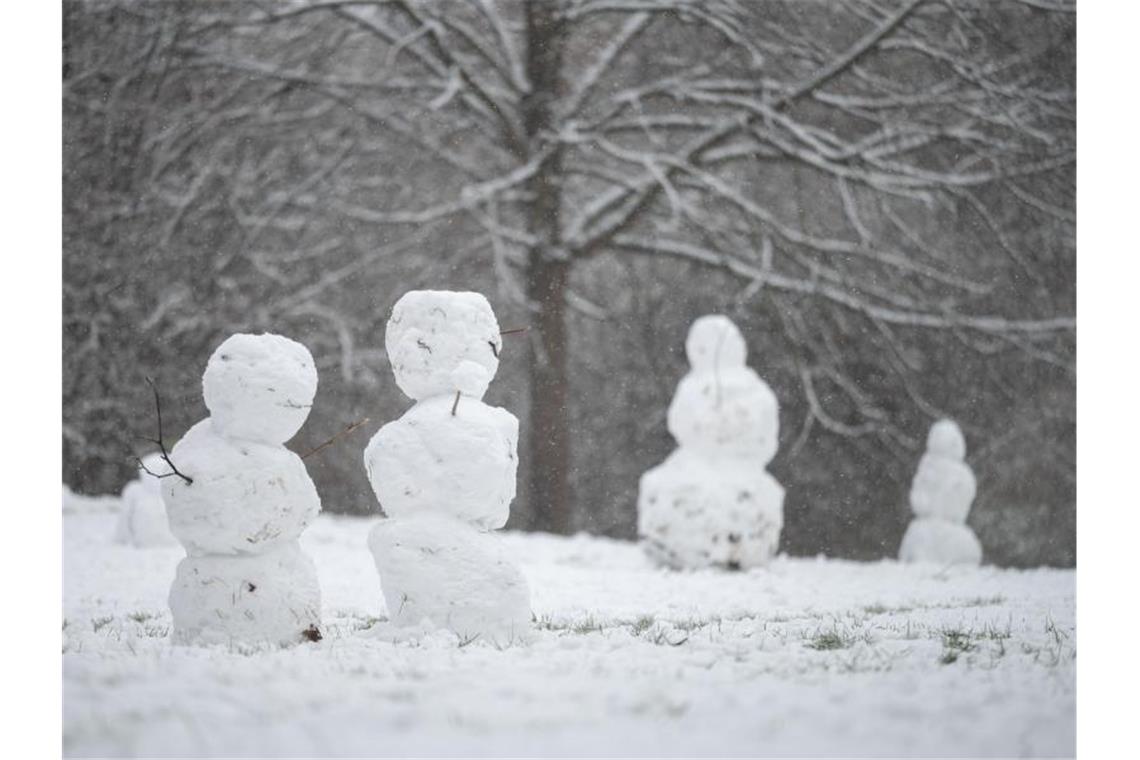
x=548 y=269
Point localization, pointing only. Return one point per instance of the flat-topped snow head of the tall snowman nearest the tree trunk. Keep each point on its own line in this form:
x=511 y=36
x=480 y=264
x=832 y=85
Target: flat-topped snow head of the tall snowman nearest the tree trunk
x=441 y=342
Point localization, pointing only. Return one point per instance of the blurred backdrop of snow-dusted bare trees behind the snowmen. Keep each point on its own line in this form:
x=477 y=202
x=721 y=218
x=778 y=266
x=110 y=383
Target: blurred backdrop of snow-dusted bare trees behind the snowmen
x=881 y=194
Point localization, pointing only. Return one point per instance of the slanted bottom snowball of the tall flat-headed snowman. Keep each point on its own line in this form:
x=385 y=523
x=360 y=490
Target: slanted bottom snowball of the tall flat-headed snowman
x=441 y=570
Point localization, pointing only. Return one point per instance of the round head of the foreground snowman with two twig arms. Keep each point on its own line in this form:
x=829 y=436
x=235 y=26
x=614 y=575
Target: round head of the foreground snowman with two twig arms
x=259 y=388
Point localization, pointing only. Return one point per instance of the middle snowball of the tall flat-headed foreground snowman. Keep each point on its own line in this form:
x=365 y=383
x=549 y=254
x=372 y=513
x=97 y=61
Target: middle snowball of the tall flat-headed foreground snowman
x=431 y=462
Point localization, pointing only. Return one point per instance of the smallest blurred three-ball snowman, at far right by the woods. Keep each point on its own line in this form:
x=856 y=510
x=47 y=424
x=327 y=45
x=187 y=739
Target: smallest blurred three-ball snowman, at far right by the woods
x=941 y=497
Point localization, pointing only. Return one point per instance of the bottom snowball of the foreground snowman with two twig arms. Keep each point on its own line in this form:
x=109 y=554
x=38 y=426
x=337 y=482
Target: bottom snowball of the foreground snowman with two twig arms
x=260 y=599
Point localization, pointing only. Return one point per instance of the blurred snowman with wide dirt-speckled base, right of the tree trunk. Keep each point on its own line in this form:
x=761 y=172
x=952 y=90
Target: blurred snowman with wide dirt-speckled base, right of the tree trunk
x=712 y=503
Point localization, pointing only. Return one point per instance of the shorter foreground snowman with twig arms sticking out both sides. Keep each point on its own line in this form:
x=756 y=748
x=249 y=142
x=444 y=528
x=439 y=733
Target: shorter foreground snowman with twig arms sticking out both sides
x=243 y=501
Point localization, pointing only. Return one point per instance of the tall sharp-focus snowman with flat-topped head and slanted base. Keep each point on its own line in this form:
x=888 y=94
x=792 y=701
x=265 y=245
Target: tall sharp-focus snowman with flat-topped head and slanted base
x=445 y=475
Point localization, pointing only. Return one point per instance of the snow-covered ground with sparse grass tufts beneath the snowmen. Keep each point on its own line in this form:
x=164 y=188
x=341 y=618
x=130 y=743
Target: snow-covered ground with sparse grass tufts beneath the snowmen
x=804 y=658
